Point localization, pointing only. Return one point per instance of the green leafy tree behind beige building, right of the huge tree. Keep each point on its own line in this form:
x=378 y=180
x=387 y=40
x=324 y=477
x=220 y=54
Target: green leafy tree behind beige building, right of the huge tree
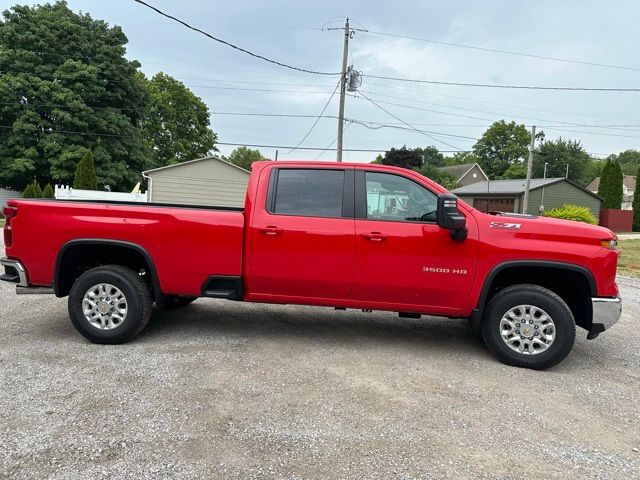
x=176 y=123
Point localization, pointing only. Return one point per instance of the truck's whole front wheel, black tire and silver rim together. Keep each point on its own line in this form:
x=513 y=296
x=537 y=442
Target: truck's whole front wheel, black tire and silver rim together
x=528 y=326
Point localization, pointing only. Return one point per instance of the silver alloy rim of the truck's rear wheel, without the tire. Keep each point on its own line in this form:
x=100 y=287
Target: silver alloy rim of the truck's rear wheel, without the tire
x=104 y=306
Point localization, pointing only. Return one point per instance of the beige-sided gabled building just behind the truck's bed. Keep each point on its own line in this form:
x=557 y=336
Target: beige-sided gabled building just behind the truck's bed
x=206 y=181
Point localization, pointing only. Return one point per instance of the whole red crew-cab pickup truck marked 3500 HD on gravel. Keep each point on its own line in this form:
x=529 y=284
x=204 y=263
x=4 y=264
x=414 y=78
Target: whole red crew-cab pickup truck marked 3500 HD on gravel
x=327 y=234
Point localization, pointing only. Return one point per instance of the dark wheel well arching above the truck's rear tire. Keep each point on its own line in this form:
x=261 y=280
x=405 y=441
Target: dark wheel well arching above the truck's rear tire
x=77 y=257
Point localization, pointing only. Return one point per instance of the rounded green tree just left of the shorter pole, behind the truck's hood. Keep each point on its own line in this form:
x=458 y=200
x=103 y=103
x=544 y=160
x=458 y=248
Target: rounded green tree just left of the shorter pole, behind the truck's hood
x=501 y=145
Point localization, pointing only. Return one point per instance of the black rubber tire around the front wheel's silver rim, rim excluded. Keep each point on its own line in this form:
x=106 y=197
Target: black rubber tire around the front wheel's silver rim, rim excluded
x=543 y=298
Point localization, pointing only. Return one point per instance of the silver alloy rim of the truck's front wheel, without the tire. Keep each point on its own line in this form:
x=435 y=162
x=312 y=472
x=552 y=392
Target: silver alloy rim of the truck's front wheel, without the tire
x=527 y=329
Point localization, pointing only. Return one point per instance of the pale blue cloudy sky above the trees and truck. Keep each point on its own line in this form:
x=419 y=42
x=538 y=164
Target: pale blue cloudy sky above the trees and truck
x=292 y=32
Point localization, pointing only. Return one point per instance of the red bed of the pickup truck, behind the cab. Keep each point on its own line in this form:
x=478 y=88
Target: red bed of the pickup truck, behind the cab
x=187 y=244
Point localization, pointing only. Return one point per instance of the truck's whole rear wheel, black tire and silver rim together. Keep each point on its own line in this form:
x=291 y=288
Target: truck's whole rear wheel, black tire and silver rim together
x=110 y=304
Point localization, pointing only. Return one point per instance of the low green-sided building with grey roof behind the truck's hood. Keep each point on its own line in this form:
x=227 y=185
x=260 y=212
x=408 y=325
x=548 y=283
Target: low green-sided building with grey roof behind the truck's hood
x=507 y=195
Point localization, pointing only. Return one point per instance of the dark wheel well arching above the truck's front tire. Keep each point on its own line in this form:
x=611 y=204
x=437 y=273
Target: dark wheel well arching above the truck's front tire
x=572 y=285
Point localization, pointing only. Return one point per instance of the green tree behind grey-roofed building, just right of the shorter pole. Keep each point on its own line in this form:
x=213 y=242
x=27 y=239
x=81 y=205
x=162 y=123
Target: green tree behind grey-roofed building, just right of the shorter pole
x=560 y=153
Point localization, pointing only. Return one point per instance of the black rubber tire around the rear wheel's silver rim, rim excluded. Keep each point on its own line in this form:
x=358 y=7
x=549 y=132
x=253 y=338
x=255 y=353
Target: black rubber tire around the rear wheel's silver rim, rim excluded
x=135 y=291
